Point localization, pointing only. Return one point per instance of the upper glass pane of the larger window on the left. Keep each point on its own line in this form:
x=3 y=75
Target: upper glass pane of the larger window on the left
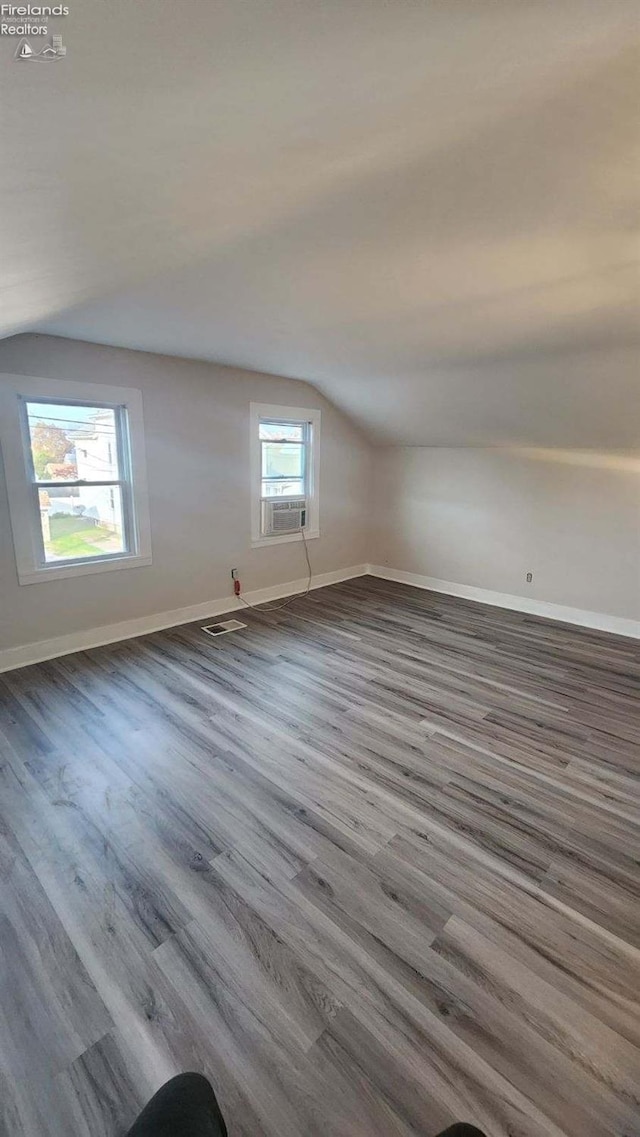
x=70 y=443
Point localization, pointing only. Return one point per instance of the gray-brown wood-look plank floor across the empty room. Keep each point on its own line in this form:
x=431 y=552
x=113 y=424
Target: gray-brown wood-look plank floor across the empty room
x=371 y=865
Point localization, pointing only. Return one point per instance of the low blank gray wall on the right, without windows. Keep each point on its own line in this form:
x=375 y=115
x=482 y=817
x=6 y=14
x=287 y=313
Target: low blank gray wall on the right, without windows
x=487 y=517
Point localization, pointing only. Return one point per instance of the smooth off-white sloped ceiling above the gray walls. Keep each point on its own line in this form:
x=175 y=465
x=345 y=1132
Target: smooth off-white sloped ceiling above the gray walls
x=426 y=208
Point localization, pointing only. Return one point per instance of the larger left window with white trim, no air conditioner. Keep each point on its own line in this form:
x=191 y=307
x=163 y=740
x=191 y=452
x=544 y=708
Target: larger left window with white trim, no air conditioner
x=74 y=459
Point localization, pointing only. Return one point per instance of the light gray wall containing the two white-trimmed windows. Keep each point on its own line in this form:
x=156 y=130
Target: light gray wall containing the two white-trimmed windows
x=197 y=431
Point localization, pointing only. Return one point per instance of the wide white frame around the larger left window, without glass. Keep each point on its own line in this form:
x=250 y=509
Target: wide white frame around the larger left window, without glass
x=16 y=391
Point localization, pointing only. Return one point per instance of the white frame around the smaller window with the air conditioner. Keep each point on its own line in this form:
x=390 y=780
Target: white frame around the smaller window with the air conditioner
x=270 y=412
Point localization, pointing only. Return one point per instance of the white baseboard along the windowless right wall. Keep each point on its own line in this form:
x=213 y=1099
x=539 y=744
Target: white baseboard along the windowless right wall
x=597 y=620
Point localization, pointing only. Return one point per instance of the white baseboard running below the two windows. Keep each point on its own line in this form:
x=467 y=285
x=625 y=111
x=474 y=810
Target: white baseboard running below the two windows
x=128 y=629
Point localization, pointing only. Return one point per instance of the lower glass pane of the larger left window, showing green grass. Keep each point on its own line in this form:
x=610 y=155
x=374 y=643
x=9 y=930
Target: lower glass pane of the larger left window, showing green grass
x=81 y=522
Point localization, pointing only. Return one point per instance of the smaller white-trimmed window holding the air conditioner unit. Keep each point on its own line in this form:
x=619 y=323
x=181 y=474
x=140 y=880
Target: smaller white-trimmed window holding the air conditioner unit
x=285 y=474
